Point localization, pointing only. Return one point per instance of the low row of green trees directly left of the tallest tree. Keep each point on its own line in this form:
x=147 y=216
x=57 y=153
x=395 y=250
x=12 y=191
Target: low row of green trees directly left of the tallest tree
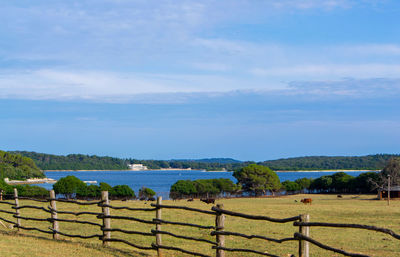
x=203 y=188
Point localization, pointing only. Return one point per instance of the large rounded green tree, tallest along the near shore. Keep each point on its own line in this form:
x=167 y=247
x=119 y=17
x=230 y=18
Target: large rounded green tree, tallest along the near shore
x=257 y=179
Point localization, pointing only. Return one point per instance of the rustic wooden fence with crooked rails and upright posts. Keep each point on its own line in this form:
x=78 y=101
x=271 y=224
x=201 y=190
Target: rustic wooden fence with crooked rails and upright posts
x=302 y=237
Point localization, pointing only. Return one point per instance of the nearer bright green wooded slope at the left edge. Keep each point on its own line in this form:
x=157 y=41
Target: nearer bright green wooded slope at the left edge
x=15 y=166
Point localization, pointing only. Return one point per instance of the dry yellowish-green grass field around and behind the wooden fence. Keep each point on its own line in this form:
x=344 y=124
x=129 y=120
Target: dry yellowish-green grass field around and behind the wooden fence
x=325 y=208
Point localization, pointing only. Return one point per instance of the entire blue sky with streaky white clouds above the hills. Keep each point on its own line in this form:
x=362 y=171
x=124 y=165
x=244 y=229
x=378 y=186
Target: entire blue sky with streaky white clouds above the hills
x=175 y=79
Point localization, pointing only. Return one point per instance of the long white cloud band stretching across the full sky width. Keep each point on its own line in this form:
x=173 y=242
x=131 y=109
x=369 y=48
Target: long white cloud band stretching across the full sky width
x=150 y=88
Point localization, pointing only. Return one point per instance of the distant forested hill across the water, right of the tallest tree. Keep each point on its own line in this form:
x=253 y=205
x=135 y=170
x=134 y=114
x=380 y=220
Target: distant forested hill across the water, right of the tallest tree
x=369 y=162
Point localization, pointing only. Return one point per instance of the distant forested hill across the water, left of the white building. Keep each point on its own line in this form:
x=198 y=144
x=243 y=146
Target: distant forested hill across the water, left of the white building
x=74 y=161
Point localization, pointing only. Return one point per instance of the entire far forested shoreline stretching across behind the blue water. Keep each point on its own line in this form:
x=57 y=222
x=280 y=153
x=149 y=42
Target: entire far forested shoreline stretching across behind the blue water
x=93 y=162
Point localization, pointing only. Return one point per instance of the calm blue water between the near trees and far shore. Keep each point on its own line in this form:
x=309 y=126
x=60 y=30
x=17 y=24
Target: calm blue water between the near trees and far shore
x=161 y=180
